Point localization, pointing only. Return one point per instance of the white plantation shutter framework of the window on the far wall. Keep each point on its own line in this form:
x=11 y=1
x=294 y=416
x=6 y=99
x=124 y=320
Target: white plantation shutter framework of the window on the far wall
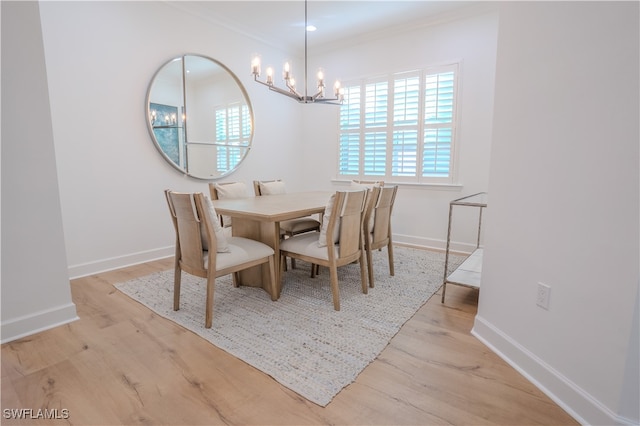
x=392 y=127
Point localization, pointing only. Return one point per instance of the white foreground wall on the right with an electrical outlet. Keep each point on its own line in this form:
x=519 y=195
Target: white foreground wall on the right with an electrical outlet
x=564 y=204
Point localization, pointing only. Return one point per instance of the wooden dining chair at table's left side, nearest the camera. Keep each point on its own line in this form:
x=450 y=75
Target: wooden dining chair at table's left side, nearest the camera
x=203 y=250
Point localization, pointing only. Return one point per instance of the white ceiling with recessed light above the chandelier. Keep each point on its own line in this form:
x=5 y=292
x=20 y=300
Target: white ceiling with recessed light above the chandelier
x=281 y=23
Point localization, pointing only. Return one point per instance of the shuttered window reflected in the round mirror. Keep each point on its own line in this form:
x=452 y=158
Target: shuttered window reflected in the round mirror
x=233 y=130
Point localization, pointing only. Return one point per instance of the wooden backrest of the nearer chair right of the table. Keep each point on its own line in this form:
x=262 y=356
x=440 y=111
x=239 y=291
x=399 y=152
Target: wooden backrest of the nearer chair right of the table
x=347 y=213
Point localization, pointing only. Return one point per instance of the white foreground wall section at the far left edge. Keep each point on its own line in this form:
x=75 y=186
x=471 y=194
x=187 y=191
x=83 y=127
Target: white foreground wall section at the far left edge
x=35 y=283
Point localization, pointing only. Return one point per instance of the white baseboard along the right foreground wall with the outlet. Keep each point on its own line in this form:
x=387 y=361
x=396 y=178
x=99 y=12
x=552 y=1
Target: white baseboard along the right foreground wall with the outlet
x=570 y=397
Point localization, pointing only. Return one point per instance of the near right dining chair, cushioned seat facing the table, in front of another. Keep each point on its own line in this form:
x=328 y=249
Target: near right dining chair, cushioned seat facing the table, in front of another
x=338 y=243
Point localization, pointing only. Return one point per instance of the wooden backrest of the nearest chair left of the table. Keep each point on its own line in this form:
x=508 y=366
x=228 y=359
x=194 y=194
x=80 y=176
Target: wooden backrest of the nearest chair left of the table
x=191 y=225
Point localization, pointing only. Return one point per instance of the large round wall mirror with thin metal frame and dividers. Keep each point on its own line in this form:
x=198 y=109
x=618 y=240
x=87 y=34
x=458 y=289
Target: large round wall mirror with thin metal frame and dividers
x=199 y=116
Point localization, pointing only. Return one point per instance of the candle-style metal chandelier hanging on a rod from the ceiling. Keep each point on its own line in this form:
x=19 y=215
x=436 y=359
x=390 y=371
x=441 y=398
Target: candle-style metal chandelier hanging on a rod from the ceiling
x=291 y=91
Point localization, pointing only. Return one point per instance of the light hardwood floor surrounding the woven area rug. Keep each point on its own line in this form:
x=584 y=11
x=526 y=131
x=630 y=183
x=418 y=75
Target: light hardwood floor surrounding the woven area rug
x=121 y=364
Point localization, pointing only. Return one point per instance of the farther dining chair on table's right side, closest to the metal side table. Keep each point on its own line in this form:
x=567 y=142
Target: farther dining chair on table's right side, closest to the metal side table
x=377 y=225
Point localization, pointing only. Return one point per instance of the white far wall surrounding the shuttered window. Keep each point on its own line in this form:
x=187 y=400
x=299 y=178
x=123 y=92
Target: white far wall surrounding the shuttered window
x=421 y=212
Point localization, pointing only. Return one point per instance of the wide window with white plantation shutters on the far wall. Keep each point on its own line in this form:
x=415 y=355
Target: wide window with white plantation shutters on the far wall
x=400 y=127
